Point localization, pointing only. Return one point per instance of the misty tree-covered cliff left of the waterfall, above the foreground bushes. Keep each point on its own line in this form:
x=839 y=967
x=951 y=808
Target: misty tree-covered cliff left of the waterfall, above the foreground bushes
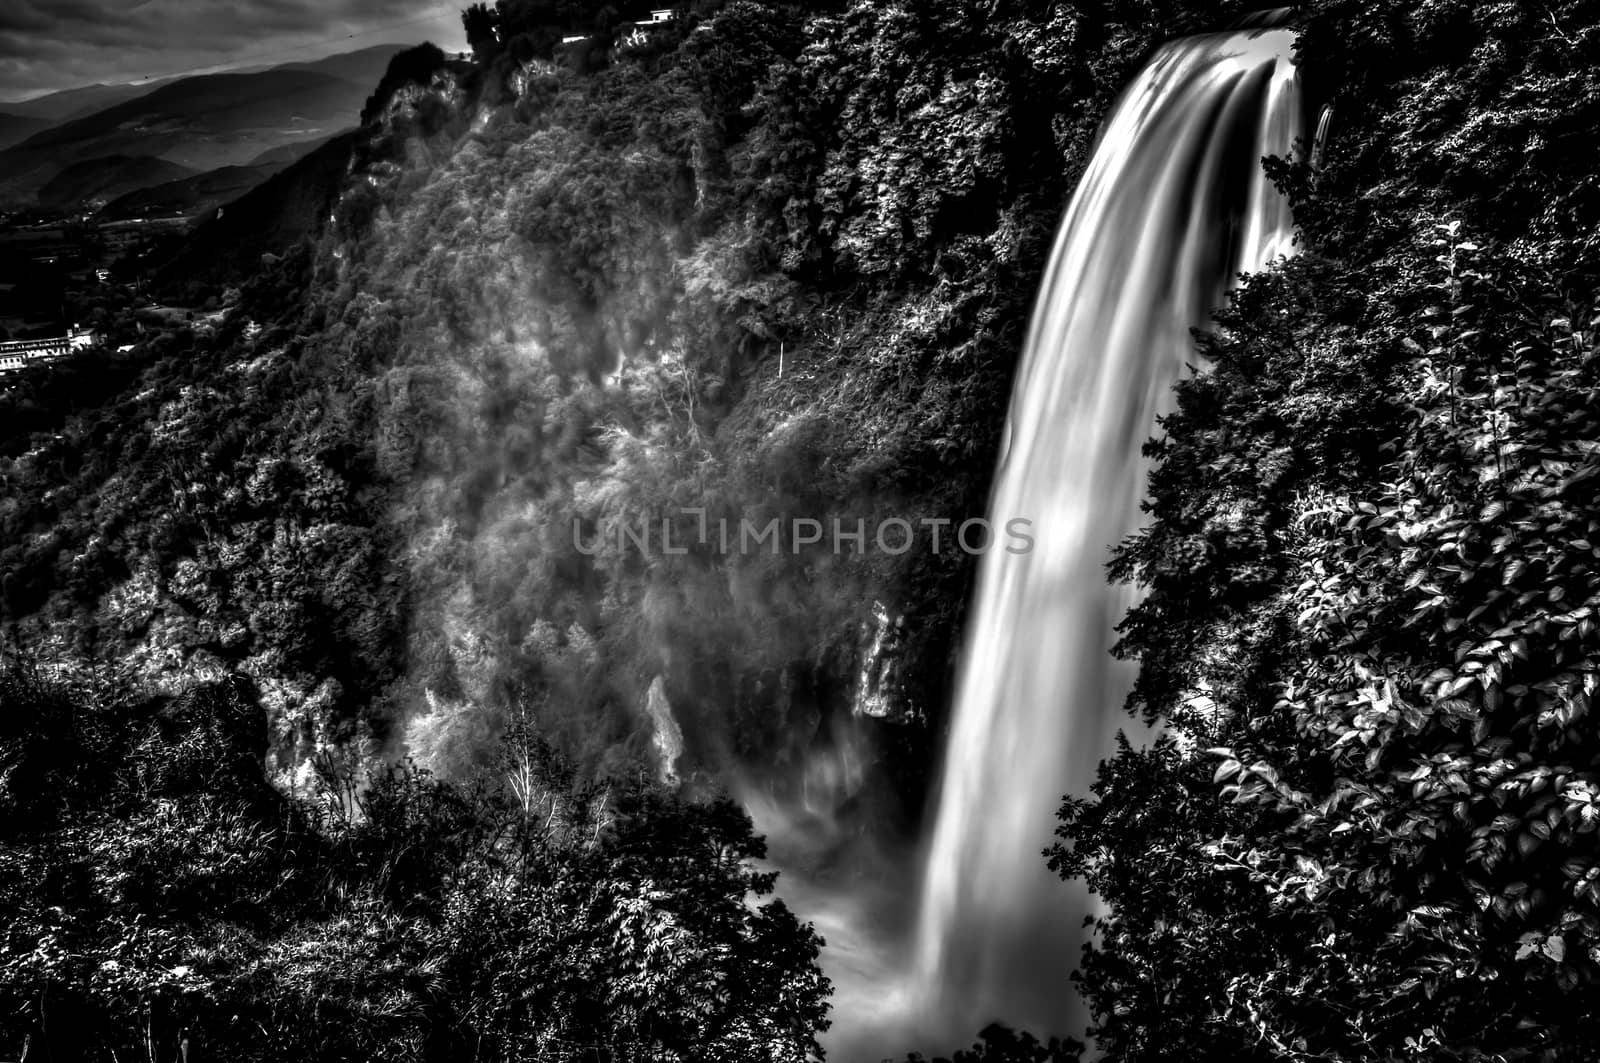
x=566 y=324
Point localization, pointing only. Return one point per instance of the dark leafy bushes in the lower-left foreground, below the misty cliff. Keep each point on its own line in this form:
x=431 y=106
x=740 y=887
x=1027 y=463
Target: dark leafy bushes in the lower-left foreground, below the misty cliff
x=158 y=889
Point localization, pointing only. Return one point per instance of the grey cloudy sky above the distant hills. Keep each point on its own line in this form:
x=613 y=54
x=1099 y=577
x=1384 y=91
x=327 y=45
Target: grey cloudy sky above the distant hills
x=62 y=44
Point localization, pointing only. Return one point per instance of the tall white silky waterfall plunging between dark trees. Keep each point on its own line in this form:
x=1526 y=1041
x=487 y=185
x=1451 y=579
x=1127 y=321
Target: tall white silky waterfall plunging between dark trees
x=1172 y=207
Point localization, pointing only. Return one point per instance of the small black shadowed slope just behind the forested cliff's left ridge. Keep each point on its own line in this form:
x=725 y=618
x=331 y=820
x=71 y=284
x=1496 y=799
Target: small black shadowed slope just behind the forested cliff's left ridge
x=273 y=217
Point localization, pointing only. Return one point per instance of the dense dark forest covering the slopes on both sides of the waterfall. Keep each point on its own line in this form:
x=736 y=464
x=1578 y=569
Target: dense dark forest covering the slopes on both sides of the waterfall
x=324 y=734
